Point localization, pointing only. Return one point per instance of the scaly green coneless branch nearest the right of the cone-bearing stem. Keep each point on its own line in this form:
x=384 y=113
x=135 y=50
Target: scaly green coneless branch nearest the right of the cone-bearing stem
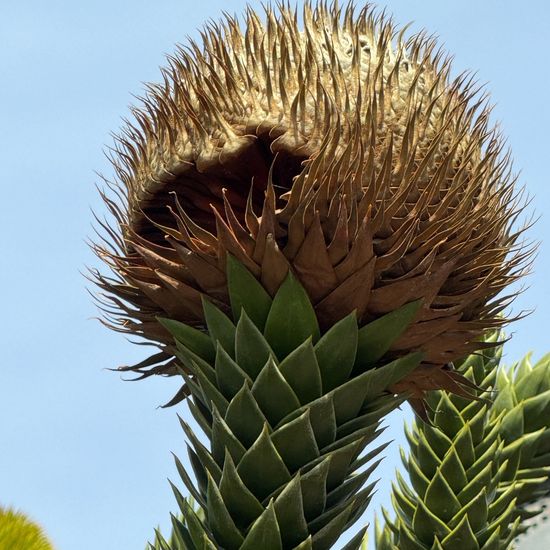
x=464 y=475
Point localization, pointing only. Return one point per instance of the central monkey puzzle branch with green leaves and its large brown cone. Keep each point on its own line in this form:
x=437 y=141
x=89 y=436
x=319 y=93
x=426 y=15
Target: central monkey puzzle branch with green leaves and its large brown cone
x=312 y=222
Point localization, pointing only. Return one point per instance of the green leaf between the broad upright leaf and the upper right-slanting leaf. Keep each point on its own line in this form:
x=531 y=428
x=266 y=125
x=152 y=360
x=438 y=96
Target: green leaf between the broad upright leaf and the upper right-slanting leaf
x=336 y=351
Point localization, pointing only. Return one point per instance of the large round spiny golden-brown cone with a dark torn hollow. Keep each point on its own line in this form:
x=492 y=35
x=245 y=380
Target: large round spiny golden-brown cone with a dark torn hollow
x=342 y=151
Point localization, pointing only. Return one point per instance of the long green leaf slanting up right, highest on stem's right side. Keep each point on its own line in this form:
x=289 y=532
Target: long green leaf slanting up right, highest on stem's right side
x=376 y=338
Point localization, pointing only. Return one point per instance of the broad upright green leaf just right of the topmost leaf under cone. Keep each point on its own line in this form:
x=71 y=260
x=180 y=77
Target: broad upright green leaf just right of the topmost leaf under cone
x=291 y=320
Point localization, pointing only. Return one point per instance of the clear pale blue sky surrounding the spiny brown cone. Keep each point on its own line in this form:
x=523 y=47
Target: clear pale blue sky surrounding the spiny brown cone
x=84 y=453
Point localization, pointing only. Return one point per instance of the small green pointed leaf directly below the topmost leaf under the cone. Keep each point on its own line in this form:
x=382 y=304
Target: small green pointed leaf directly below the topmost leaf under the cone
x=251 y=348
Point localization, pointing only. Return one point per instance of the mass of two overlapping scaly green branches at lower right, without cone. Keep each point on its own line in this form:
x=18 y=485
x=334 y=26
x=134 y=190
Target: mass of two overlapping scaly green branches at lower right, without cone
x=474 y=469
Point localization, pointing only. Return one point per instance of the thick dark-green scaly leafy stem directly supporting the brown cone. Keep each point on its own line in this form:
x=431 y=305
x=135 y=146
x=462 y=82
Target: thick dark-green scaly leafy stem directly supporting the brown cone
x=288 y=413
